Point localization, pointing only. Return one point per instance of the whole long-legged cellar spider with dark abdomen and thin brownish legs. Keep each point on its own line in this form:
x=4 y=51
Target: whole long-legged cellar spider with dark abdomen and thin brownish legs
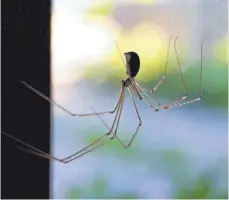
x=132 y=66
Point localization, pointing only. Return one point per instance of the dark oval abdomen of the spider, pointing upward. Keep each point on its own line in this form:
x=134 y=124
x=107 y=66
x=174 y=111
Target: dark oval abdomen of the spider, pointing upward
x=132 y=63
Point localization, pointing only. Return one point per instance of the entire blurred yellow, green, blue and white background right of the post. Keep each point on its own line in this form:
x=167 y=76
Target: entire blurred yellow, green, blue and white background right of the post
x=179 y=153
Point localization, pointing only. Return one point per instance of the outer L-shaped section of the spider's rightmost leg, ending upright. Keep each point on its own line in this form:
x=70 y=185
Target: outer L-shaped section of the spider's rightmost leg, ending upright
x=201 y=82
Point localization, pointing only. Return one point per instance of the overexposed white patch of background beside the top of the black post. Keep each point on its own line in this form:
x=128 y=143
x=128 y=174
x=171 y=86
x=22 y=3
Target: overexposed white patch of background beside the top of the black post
x=69 y=46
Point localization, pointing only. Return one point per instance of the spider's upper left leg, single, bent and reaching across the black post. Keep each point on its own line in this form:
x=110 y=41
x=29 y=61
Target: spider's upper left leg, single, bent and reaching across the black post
x=64 y=109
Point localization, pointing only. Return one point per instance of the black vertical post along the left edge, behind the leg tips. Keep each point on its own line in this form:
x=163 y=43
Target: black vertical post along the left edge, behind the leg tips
x=26 y=56
